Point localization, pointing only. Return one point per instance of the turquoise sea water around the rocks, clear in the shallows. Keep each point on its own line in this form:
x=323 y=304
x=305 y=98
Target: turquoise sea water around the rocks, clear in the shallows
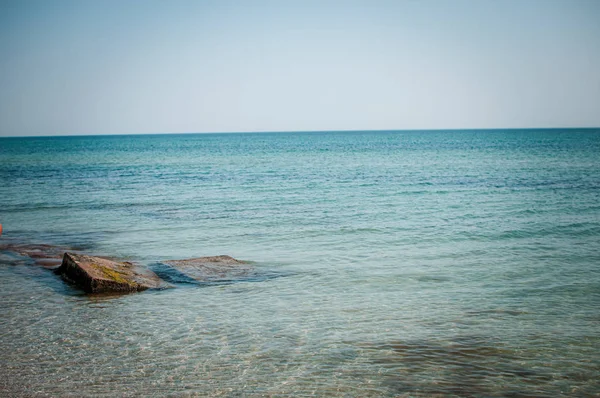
x=459 y=263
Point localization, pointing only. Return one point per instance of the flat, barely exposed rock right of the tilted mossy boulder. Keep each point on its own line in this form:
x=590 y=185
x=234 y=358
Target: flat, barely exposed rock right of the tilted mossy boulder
x=216 y=268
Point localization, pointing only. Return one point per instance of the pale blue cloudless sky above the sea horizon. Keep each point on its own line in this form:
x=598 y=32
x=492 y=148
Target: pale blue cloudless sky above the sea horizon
x=70 y=67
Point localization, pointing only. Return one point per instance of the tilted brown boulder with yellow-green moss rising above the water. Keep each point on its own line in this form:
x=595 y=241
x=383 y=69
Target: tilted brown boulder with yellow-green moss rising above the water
x=99 y=275
